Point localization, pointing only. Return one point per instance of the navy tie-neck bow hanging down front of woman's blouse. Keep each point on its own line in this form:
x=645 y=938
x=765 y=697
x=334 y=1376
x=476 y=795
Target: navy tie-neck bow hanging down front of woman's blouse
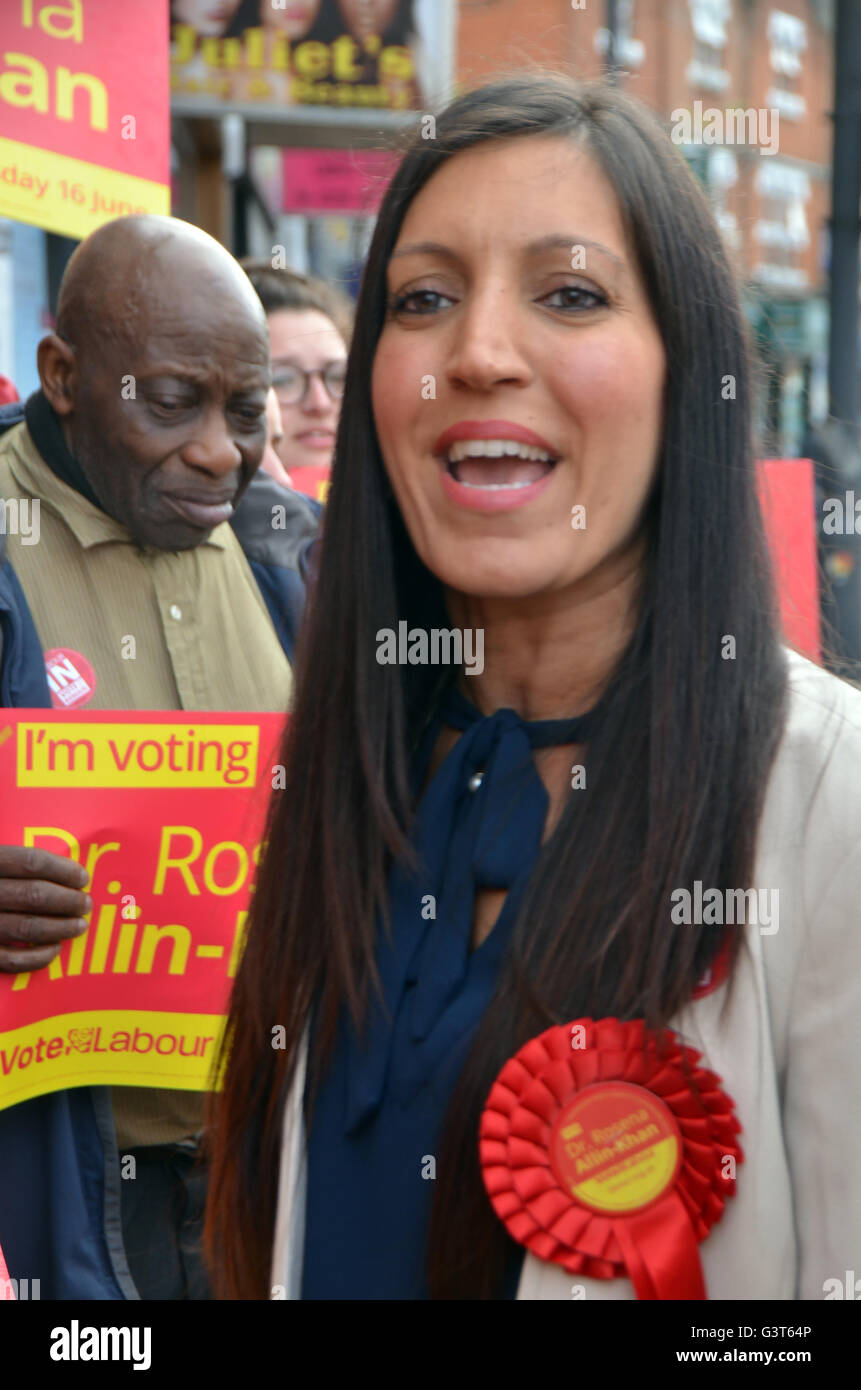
x=479 y=825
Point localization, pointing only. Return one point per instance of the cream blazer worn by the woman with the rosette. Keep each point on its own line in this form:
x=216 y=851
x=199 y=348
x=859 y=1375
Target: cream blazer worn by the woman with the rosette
x=785 y=1039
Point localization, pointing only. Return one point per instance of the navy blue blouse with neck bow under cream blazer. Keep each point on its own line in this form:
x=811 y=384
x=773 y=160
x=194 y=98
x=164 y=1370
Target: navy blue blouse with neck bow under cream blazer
x=379 y=1111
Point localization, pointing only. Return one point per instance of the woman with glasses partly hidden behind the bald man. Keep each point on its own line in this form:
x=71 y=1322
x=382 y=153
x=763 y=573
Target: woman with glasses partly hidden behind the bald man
x=309 y=333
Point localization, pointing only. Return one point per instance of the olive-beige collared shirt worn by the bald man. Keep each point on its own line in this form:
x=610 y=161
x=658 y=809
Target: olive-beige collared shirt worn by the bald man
x=162 y=630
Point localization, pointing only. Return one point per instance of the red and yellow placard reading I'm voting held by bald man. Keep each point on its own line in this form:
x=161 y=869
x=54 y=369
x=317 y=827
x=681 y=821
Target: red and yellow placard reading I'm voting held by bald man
x=166 y=812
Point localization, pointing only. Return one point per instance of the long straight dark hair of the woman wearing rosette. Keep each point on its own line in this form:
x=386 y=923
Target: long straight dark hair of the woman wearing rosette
x=677 y=774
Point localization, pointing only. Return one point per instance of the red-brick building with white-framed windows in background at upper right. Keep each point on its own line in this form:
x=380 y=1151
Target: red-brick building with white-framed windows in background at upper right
x=745 y=88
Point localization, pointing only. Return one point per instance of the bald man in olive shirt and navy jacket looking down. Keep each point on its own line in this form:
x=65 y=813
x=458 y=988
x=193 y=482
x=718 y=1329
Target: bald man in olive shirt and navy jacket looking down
x=145 y=436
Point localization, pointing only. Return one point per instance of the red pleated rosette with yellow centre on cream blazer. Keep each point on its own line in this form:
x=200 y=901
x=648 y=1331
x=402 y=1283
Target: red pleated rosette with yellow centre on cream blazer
x=604 y=1147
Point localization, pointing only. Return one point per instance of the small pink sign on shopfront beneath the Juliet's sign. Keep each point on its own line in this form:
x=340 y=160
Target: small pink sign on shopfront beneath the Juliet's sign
x=336 y=181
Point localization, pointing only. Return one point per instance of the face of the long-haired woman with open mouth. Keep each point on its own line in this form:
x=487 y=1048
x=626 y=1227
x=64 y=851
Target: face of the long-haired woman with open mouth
x=520 y=373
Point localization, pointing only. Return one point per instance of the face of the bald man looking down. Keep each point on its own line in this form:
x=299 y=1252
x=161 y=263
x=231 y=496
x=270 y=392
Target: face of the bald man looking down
x=173 y=461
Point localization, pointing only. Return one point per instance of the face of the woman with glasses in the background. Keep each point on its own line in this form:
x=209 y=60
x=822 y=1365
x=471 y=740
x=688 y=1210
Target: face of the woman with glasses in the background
x=308 y=341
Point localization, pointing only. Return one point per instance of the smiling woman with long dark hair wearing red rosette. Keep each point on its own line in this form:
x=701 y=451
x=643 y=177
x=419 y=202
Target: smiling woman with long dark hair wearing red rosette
x=465 y=918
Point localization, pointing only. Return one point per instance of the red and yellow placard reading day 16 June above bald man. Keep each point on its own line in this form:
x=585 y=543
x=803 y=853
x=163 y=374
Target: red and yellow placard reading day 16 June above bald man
x=84 y=112
